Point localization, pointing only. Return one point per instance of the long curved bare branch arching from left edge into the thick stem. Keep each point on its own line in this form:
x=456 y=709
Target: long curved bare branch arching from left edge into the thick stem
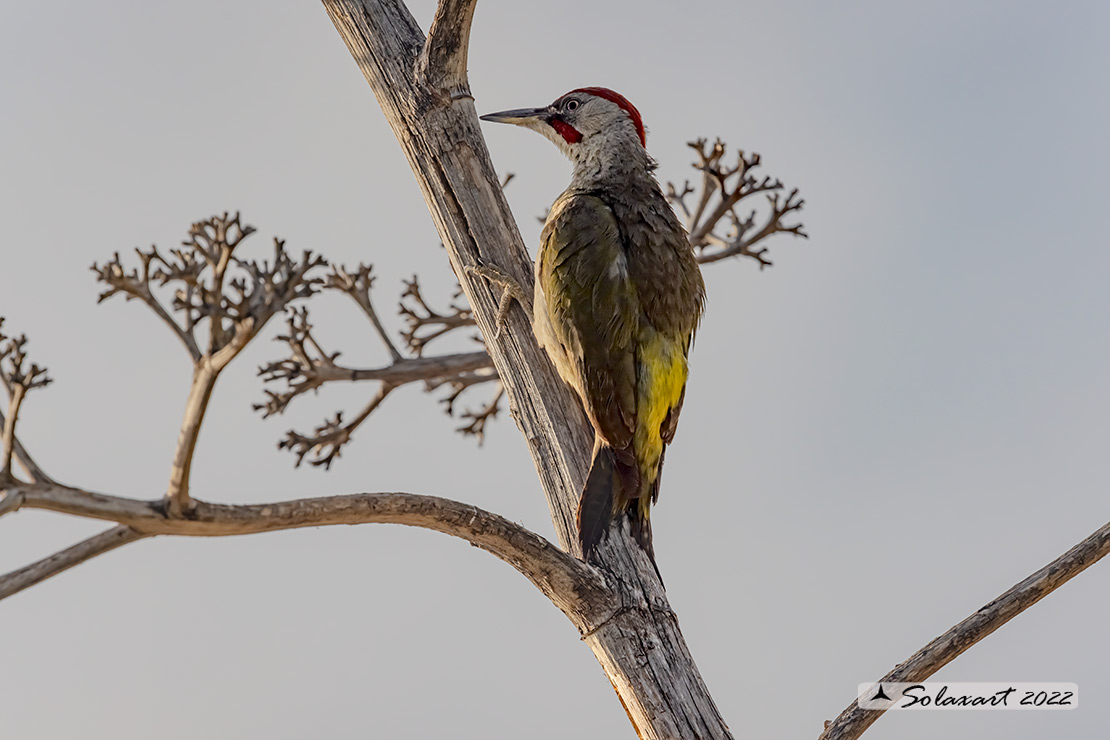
x=577 y=589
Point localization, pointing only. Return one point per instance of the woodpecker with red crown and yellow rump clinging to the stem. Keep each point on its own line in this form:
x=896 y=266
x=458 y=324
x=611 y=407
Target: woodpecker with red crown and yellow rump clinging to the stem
x=618 y=299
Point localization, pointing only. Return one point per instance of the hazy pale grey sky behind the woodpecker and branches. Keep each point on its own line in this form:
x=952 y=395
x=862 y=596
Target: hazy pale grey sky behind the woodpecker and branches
x=903 y=418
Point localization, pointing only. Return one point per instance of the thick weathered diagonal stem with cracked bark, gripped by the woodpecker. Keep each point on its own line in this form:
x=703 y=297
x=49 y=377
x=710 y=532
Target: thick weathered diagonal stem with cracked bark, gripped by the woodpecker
x=425 y=95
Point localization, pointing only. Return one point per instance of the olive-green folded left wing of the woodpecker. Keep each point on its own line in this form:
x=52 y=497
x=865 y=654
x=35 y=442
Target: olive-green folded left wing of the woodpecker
x=594 y=311
